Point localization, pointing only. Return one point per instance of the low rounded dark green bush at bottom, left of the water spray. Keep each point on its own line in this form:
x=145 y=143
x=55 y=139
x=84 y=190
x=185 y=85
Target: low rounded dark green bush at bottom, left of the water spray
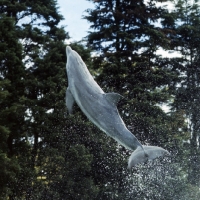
x=79 y=183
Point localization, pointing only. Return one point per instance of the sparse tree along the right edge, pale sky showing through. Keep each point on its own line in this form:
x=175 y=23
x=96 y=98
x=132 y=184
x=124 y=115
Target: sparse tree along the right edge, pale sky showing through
x=187 y=93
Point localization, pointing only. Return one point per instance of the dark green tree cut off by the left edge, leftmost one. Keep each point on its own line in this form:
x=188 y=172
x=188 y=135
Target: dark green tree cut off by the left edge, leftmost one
x=11 y=111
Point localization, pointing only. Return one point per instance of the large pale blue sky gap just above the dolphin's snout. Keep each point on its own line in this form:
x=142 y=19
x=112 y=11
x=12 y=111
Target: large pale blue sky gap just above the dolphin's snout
x=73 y=11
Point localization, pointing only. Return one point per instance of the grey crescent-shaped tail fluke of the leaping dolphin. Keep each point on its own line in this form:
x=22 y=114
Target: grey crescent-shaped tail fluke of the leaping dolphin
x=142 y=155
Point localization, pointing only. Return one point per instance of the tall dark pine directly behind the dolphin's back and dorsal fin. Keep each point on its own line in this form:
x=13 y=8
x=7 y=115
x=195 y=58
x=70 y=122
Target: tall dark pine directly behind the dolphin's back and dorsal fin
x=127 y=38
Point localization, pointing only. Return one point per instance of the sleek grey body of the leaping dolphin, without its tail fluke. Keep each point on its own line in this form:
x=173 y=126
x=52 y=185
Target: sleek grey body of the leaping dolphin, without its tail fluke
x=99 y=107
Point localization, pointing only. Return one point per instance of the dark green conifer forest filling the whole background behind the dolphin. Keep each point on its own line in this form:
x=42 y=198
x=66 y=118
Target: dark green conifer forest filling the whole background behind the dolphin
x=47 y=154
